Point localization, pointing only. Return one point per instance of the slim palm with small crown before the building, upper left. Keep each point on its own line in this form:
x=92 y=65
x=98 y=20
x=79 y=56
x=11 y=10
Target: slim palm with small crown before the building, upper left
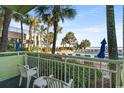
x=18 y=18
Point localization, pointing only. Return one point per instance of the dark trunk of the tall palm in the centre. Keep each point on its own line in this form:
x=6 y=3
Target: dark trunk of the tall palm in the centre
x=55 y=24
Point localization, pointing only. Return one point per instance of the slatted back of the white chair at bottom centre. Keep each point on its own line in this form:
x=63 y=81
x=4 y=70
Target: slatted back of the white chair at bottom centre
x=56 y=83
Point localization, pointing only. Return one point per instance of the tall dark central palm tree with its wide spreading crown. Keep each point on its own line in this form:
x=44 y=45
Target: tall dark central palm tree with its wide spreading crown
x=57 y=13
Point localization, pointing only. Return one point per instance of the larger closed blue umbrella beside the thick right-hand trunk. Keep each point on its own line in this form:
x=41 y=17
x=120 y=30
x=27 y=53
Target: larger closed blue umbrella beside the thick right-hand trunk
x=102 y=49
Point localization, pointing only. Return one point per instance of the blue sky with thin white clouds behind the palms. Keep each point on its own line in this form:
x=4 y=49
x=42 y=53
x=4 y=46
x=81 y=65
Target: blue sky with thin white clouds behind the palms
x=89 y=23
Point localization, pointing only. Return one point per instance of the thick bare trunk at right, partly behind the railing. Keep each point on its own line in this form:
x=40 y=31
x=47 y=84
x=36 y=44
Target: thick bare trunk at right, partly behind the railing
x=111 y=36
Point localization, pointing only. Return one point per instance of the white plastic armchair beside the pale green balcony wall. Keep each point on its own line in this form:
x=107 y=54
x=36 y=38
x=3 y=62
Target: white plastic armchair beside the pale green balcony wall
x=26 y=72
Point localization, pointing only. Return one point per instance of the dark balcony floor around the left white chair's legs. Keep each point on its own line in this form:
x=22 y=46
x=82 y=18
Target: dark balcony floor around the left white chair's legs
x=14 y=83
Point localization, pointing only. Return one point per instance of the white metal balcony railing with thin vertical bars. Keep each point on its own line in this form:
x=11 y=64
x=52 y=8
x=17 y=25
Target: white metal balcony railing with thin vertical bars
x=86 y=72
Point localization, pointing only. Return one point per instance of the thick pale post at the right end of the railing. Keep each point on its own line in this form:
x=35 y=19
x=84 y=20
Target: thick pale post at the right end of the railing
x=118 y=75
